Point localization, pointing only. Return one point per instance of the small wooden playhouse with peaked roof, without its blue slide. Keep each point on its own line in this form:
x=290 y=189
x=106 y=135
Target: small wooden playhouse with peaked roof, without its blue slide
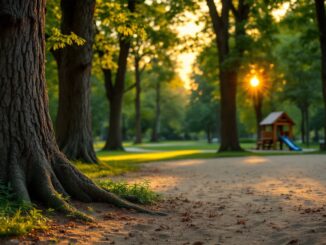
x=276 y=124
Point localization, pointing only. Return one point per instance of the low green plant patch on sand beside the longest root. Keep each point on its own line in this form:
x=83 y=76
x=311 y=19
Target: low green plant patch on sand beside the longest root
x=137 y=192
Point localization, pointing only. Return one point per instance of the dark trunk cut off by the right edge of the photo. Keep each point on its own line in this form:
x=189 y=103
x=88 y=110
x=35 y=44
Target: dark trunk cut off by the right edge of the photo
x=321 y=19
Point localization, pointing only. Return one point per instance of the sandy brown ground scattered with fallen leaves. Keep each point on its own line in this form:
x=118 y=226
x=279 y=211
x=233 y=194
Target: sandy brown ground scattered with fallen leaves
x=249 y=200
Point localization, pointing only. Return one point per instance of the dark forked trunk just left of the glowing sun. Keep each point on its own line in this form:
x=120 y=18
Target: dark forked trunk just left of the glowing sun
x=228 y=78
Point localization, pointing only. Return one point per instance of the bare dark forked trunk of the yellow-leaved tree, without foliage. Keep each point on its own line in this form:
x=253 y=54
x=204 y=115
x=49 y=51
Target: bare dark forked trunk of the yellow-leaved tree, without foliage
x=114 y=139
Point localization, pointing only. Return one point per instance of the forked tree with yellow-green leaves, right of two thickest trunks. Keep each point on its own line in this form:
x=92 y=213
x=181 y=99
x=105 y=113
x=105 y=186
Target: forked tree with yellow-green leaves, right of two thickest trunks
x=117 y=21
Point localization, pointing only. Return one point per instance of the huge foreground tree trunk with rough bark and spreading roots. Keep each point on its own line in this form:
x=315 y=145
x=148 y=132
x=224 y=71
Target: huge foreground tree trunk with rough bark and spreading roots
x=30 y=160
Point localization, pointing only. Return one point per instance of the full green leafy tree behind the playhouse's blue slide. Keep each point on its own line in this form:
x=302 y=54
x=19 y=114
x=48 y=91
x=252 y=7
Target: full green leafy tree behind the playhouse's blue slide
x=297 y=57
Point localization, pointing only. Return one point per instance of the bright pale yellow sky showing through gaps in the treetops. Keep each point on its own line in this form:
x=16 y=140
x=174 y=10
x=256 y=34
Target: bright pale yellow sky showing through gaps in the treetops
x=190 y=28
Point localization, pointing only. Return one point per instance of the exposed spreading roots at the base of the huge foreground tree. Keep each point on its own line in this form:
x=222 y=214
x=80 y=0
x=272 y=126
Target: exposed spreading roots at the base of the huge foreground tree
x=54 y=182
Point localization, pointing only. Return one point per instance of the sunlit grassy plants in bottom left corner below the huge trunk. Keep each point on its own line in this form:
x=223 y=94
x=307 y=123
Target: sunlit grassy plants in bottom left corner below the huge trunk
x=18 y=218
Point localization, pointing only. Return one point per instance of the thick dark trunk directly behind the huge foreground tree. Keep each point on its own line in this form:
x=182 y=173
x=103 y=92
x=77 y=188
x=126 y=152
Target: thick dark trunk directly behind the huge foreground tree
x=73 y=124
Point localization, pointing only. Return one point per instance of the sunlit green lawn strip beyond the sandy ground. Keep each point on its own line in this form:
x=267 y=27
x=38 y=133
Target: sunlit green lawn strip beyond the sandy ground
x=115 y=163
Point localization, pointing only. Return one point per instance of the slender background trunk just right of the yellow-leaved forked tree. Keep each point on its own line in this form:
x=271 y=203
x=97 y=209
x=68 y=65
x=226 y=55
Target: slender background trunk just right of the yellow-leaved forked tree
x=138 y=129
